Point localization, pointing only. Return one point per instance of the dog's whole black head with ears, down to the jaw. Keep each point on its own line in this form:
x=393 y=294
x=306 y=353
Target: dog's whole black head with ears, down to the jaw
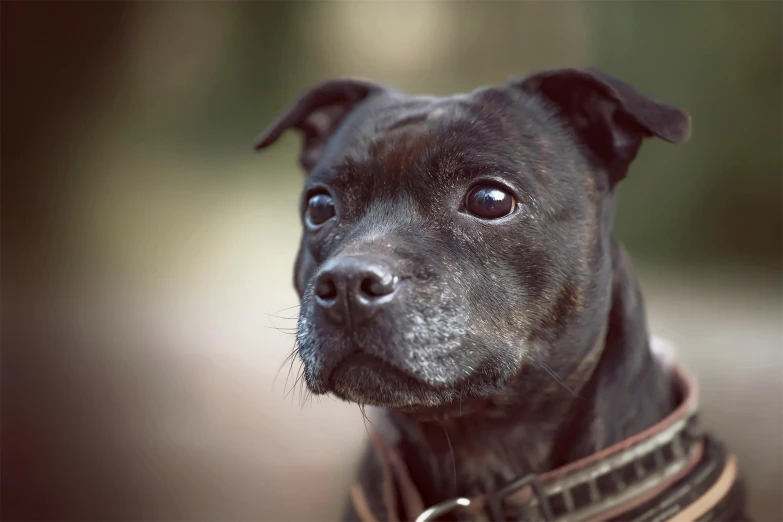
x=451 y=244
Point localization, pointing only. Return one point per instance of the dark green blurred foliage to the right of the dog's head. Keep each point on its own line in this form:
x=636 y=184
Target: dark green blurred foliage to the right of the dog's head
x=718 y=198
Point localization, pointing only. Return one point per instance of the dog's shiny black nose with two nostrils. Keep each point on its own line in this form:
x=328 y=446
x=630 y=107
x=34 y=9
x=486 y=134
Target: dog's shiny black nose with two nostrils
x=355 y=285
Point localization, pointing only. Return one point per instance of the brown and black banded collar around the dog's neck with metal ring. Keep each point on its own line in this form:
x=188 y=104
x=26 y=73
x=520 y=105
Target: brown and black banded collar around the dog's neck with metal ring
x=666 y=472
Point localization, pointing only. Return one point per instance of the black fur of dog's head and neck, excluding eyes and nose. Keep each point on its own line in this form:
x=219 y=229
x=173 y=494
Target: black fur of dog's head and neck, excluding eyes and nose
x=521 y=341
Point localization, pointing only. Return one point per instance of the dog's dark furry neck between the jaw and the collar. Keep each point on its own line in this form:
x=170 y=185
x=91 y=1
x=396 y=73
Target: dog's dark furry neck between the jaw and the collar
x=482 y=450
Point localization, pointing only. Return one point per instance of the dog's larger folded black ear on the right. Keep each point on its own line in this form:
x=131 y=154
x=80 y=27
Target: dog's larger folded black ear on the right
x=610 y=116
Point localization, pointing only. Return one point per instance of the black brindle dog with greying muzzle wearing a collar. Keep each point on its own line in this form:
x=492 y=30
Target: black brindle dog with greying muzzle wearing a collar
x=457 y=269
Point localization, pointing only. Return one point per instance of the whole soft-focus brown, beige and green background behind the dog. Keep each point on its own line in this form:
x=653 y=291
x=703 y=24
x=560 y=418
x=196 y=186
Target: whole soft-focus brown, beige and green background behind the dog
x=148 y=252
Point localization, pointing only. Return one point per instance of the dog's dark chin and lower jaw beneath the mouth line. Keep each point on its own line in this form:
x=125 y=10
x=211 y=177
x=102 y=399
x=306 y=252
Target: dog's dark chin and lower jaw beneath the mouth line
x=369 y=380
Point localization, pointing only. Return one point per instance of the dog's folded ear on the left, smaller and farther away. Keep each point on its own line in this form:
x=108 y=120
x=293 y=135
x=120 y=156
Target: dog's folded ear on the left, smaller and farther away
x=317 y=114
